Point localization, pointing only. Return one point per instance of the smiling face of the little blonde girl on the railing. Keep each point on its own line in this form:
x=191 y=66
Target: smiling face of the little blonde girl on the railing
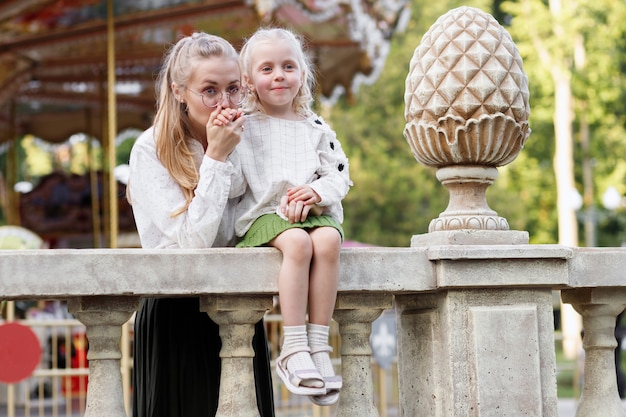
x=276 y=76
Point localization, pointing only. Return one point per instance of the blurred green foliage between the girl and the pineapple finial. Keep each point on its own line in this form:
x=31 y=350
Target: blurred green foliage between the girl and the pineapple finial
x=394 y=197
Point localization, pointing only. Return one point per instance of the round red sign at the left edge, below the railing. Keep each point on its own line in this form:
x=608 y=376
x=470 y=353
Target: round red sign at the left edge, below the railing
x=19 y=352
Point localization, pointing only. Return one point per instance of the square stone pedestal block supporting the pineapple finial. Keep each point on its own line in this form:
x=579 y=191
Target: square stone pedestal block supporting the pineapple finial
x=482 y=344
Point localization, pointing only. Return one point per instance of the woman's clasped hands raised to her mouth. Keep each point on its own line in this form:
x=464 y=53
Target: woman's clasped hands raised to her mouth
x=223 y=132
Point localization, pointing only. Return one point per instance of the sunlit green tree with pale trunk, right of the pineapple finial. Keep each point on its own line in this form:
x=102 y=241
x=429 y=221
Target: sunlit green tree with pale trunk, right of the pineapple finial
x=574 y=56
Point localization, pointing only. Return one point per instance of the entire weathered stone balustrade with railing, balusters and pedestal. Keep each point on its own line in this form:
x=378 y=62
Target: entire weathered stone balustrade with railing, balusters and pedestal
x=475 y=322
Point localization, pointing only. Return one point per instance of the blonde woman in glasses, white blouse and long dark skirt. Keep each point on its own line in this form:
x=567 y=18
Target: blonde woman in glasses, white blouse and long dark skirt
x=178 y=188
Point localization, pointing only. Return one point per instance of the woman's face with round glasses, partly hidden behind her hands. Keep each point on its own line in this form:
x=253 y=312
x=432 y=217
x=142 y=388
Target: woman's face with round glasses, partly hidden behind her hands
x=217 y=74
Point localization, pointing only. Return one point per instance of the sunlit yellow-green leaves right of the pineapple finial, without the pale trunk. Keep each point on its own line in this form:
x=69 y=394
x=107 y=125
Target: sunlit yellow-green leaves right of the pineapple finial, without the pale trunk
x=590 y=42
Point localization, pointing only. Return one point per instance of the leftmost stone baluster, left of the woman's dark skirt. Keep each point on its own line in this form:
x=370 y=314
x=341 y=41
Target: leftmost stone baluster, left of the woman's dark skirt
x=103 y=318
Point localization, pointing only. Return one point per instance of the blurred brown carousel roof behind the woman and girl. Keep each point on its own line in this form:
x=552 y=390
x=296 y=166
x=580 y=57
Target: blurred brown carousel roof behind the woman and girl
x=53 y=53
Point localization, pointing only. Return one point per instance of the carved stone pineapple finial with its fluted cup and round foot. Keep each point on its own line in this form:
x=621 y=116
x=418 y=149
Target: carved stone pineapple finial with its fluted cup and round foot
x=467 y=111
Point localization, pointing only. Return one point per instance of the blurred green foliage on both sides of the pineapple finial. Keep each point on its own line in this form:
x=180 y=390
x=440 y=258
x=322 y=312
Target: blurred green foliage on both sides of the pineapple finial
x=394 y=197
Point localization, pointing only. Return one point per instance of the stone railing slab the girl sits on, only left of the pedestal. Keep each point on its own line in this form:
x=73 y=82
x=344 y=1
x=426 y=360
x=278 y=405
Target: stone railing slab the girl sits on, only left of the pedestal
x=62 y=273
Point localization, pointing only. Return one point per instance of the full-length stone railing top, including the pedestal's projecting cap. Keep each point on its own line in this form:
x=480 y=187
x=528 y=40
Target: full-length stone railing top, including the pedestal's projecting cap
x=66 y=273
